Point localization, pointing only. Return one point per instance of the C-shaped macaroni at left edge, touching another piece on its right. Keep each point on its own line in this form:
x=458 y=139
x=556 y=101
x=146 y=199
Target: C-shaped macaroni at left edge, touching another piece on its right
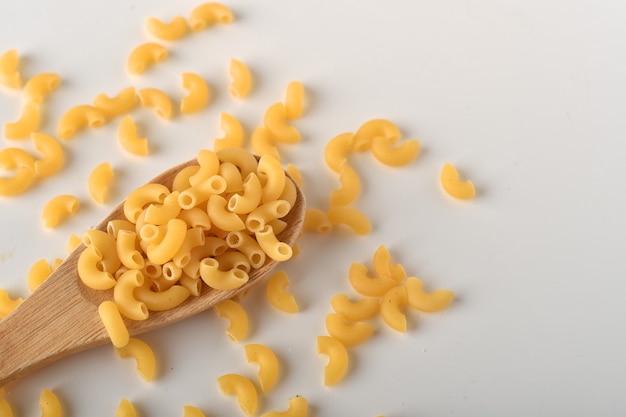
x=24 y=165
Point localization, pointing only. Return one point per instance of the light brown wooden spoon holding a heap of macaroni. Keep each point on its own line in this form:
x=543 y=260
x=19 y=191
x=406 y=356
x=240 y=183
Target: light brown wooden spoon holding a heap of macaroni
x=61 y=317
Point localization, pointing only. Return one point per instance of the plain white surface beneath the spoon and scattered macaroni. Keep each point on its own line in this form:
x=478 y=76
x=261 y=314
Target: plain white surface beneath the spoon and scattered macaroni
x=527 y=98
